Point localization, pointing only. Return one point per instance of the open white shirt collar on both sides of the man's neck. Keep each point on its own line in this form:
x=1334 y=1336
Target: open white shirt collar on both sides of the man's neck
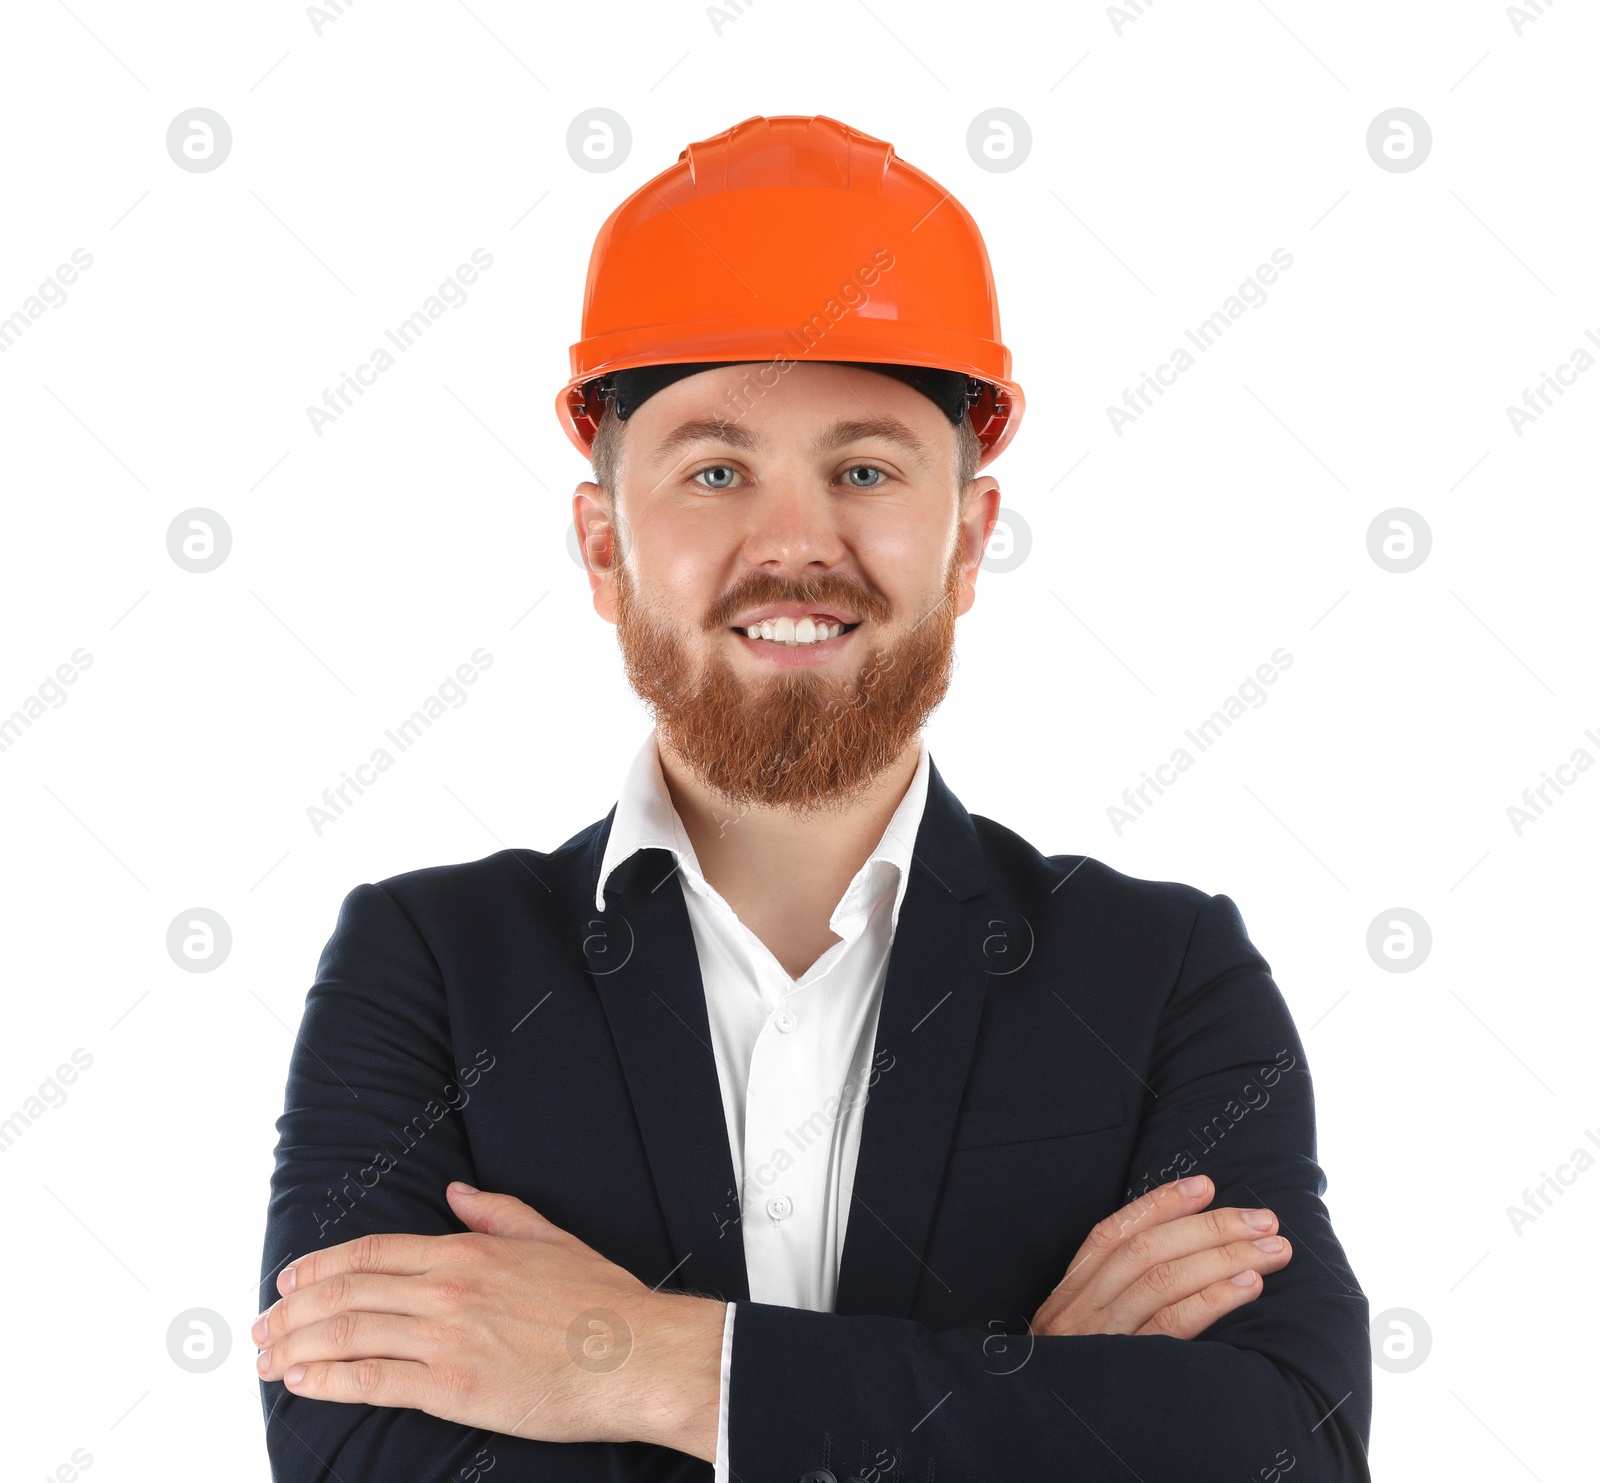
x=646 y=820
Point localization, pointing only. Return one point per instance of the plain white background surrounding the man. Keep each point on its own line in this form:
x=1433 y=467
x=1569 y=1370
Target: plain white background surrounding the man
x=1172 y=153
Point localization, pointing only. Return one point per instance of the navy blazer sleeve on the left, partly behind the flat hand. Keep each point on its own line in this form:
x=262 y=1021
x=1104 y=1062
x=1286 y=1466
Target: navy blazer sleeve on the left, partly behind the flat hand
x=372 y=1133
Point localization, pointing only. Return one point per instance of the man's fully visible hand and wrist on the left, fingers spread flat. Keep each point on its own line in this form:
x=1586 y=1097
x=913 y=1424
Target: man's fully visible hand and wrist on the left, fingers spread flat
x=516 y=1327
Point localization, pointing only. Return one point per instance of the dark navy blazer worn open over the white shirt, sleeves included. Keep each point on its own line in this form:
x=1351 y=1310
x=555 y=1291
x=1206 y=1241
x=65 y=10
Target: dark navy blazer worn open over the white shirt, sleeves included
x=1055 y=1039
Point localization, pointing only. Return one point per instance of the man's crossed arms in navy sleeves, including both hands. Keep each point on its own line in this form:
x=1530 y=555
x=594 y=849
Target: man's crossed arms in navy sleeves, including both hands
x=428 y=1351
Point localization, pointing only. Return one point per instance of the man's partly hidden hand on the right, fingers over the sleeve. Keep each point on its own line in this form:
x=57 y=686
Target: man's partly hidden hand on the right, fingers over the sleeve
x=1166 y=1266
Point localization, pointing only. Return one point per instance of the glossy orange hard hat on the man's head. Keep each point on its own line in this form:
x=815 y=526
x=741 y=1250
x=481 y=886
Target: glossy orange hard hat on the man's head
x=793 y=239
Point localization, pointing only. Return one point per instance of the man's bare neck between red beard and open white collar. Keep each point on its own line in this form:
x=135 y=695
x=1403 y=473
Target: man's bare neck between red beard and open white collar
x=782 y=873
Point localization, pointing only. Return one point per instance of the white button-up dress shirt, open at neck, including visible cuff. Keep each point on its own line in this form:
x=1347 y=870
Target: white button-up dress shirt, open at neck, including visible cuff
x=794 y=1057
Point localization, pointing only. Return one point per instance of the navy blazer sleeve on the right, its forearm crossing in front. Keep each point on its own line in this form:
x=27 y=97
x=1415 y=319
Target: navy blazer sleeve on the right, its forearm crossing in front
x=1282 y=1383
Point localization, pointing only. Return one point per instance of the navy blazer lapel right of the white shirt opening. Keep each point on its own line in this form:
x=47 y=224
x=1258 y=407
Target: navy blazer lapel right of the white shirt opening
x=934 y=999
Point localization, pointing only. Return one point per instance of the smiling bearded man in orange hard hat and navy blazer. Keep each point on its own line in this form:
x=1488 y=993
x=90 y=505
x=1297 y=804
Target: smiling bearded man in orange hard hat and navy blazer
x=802 y=1124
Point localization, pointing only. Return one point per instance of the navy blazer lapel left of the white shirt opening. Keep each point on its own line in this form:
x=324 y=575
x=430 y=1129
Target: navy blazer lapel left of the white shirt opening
x=642 y=959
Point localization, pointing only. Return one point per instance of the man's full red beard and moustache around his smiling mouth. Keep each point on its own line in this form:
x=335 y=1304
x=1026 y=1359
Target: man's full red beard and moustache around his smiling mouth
x=801 y=740
